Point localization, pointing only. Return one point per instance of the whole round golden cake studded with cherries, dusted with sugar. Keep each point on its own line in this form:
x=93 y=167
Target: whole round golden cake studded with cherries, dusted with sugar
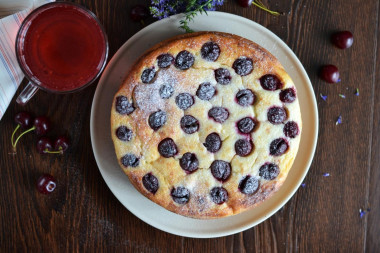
x=206 y=124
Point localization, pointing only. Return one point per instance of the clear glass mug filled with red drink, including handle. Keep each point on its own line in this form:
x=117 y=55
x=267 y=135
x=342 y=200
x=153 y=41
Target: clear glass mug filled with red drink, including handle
x=61 y=47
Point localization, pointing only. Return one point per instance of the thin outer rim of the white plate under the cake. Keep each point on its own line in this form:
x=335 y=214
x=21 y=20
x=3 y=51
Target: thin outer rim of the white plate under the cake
x=118 y=54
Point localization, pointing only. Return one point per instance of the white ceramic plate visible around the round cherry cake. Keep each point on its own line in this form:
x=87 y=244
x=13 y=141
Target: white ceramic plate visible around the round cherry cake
x=118 y=182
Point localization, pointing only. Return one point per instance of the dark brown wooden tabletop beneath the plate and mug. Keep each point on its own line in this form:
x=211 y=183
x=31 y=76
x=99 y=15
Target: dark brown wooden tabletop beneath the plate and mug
x=83 y=214
